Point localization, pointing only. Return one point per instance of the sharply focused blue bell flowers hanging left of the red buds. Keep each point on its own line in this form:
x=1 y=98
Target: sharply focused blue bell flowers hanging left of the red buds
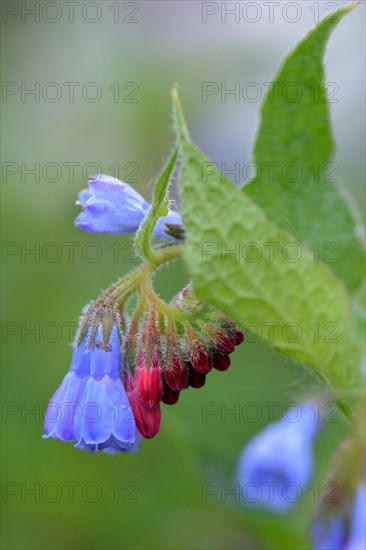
x=91 y=405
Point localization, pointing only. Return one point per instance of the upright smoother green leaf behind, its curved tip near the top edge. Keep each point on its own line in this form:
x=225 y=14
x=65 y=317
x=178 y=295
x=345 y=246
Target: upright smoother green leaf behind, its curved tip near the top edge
x=293 y=152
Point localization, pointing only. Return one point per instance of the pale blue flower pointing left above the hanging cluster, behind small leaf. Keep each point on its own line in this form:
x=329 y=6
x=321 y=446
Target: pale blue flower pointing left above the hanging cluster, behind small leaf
x=112 y=206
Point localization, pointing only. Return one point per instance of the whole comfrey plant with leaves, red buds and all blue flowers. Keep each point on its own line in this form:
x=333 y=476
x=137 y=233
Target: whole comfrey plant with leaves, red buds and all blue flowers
x=126 y=366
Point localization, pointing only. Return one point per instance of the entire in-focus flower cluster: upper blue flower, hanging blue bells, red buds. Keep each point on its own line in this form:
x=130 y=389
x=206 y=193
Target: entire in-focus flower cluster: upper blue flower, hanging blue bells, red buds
x=122 y=370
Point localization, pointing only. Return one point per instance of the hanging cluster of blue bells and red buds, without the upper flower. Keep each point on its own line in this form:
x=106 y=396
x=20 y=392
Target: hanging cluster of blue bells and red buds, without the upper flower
x=121 y=372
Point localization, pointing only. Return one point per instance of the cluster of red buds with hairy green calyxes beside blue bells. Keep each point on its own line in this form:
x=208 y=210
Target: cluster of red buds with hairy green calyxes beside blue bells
x=166 y=355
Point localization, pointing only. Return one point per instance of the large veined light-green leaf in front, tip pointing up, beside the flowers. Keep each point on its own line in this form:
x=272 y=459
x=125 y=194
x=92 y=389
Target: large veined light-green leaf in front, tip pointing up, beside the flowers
x=297 y=307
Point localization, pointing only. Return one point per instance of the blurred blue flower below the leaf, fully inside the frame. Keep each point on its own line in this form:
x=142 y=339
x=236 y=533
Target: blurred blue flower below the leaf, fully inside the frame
x=276 y=465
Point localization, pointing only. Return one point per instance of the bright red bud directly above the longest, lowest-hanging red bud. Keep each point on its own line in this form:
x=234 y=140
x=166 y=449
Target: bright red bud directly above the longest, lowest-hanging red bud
x=150 y=381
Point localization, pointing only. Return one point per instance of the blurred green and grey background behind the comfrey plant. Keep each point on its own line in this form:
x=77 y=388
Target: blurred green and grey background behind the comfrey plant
x=160 y=501
